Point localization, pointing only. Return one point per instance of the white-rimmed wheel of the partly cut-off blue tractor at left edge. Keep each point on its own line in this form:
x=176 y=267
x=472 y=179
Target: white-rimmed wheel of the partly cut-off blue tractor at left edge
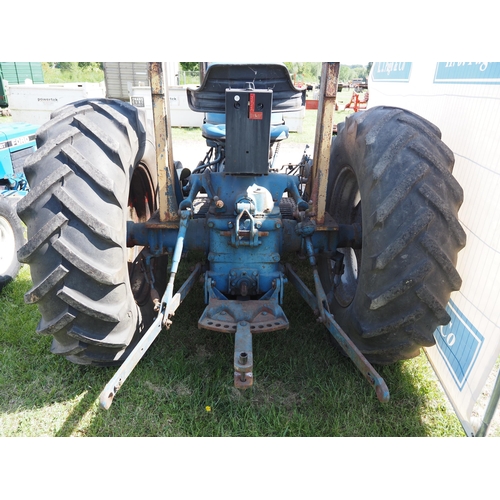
x=11 y=239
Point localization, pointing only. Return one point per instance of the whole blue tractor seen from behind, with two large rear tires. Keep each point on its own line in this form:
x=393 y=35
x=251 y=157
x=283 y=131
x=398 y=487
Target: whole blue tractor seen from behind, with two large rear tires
x=109 y=219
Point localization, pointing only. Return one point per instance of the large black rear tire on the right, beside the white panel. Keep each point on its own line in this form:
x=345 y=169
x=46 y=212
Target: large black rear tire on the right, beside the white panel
x=391 y=174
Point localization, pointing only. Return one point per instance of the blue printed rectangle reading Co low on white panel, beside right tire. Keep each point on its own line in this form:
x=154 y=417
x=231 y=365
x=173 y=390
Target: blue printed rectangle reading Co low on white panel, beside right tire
x=459 y=344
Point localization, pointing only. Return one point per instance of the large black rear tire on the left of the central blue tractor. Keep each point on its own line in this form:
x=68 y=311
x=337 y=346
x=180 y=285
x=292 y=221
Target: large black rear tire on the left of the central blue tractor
x=94 y=169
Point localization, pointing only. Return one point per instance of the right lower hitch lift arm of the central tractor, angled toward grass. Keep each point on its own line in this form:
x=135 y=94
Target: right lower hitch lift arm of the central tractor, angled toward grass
x=361 y=363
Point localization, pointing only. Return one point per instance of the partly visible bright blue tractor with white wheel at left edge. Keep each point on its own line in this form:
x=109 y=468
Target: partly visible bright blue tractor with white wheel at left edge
x=17 y=142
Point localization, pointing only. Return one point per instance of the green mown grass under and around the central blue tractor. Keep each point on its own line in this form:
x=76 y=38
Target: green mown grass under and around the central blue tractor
x=303 y=386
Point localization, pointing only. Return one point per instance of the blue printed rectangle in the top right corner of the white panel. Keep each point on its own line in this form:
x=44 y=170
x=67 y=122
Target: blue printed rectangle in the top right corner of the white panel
x=467 y=72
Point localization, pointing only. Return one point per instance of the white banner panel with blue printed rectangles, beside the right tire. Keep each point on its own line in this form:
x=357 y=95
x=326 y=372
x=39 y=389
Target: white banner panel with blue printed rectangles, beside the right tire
x=463 y=100
